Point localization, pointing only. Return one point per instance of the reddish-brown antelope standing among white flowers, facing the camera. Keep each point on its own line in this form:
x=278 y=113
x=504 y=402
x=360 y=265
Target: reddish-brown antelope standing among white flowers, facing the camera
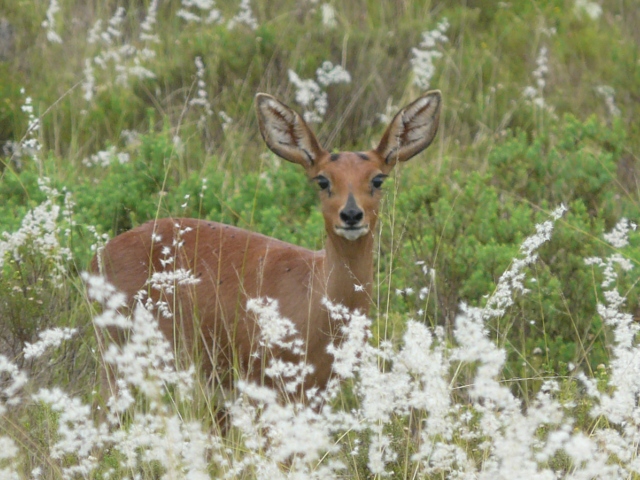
x=234 y=265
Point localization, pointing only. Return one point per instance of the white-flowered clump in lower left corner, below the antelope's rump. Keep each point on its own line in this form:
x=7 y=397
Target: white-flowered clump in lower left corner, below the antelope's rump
x=153 y=436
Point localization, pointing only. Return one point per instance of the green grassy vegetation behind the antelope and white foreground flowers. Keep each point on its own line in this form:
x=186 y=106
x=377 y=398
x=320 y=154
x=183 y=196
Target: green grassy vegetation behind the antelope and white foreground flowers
x=134 y=110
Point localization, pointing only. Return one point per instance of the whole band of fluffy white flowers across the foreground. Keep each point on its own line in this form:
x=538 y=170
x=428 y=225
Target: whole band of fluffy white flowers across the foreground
x=409 y=405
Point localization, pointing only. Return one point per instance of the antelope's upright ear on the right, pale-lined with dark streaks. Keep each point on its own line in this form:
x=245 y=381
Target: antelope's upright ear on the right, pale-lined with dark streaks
x=412 y=129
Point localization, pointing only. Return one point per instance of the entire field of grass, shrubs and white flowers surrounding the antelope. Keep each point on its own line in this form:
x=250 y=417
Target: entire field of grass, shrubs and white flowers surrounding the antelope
x=502 y=342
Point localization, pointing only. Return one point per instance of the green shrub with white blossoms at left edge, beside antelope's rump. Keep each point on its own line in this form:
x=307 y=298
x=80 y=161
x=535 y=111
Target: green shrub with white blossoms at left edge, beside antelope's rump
x=36 y=262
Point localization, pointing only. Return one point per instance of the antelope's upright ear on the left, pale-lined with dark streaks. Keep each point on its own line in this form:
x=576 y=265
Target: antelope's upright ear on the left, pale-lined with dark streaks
x=285 y=132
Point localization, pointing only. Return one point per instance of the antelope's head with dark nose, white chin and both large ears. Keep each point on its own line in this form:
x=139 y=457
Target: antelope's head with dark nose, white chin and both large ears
x=350 y=182
